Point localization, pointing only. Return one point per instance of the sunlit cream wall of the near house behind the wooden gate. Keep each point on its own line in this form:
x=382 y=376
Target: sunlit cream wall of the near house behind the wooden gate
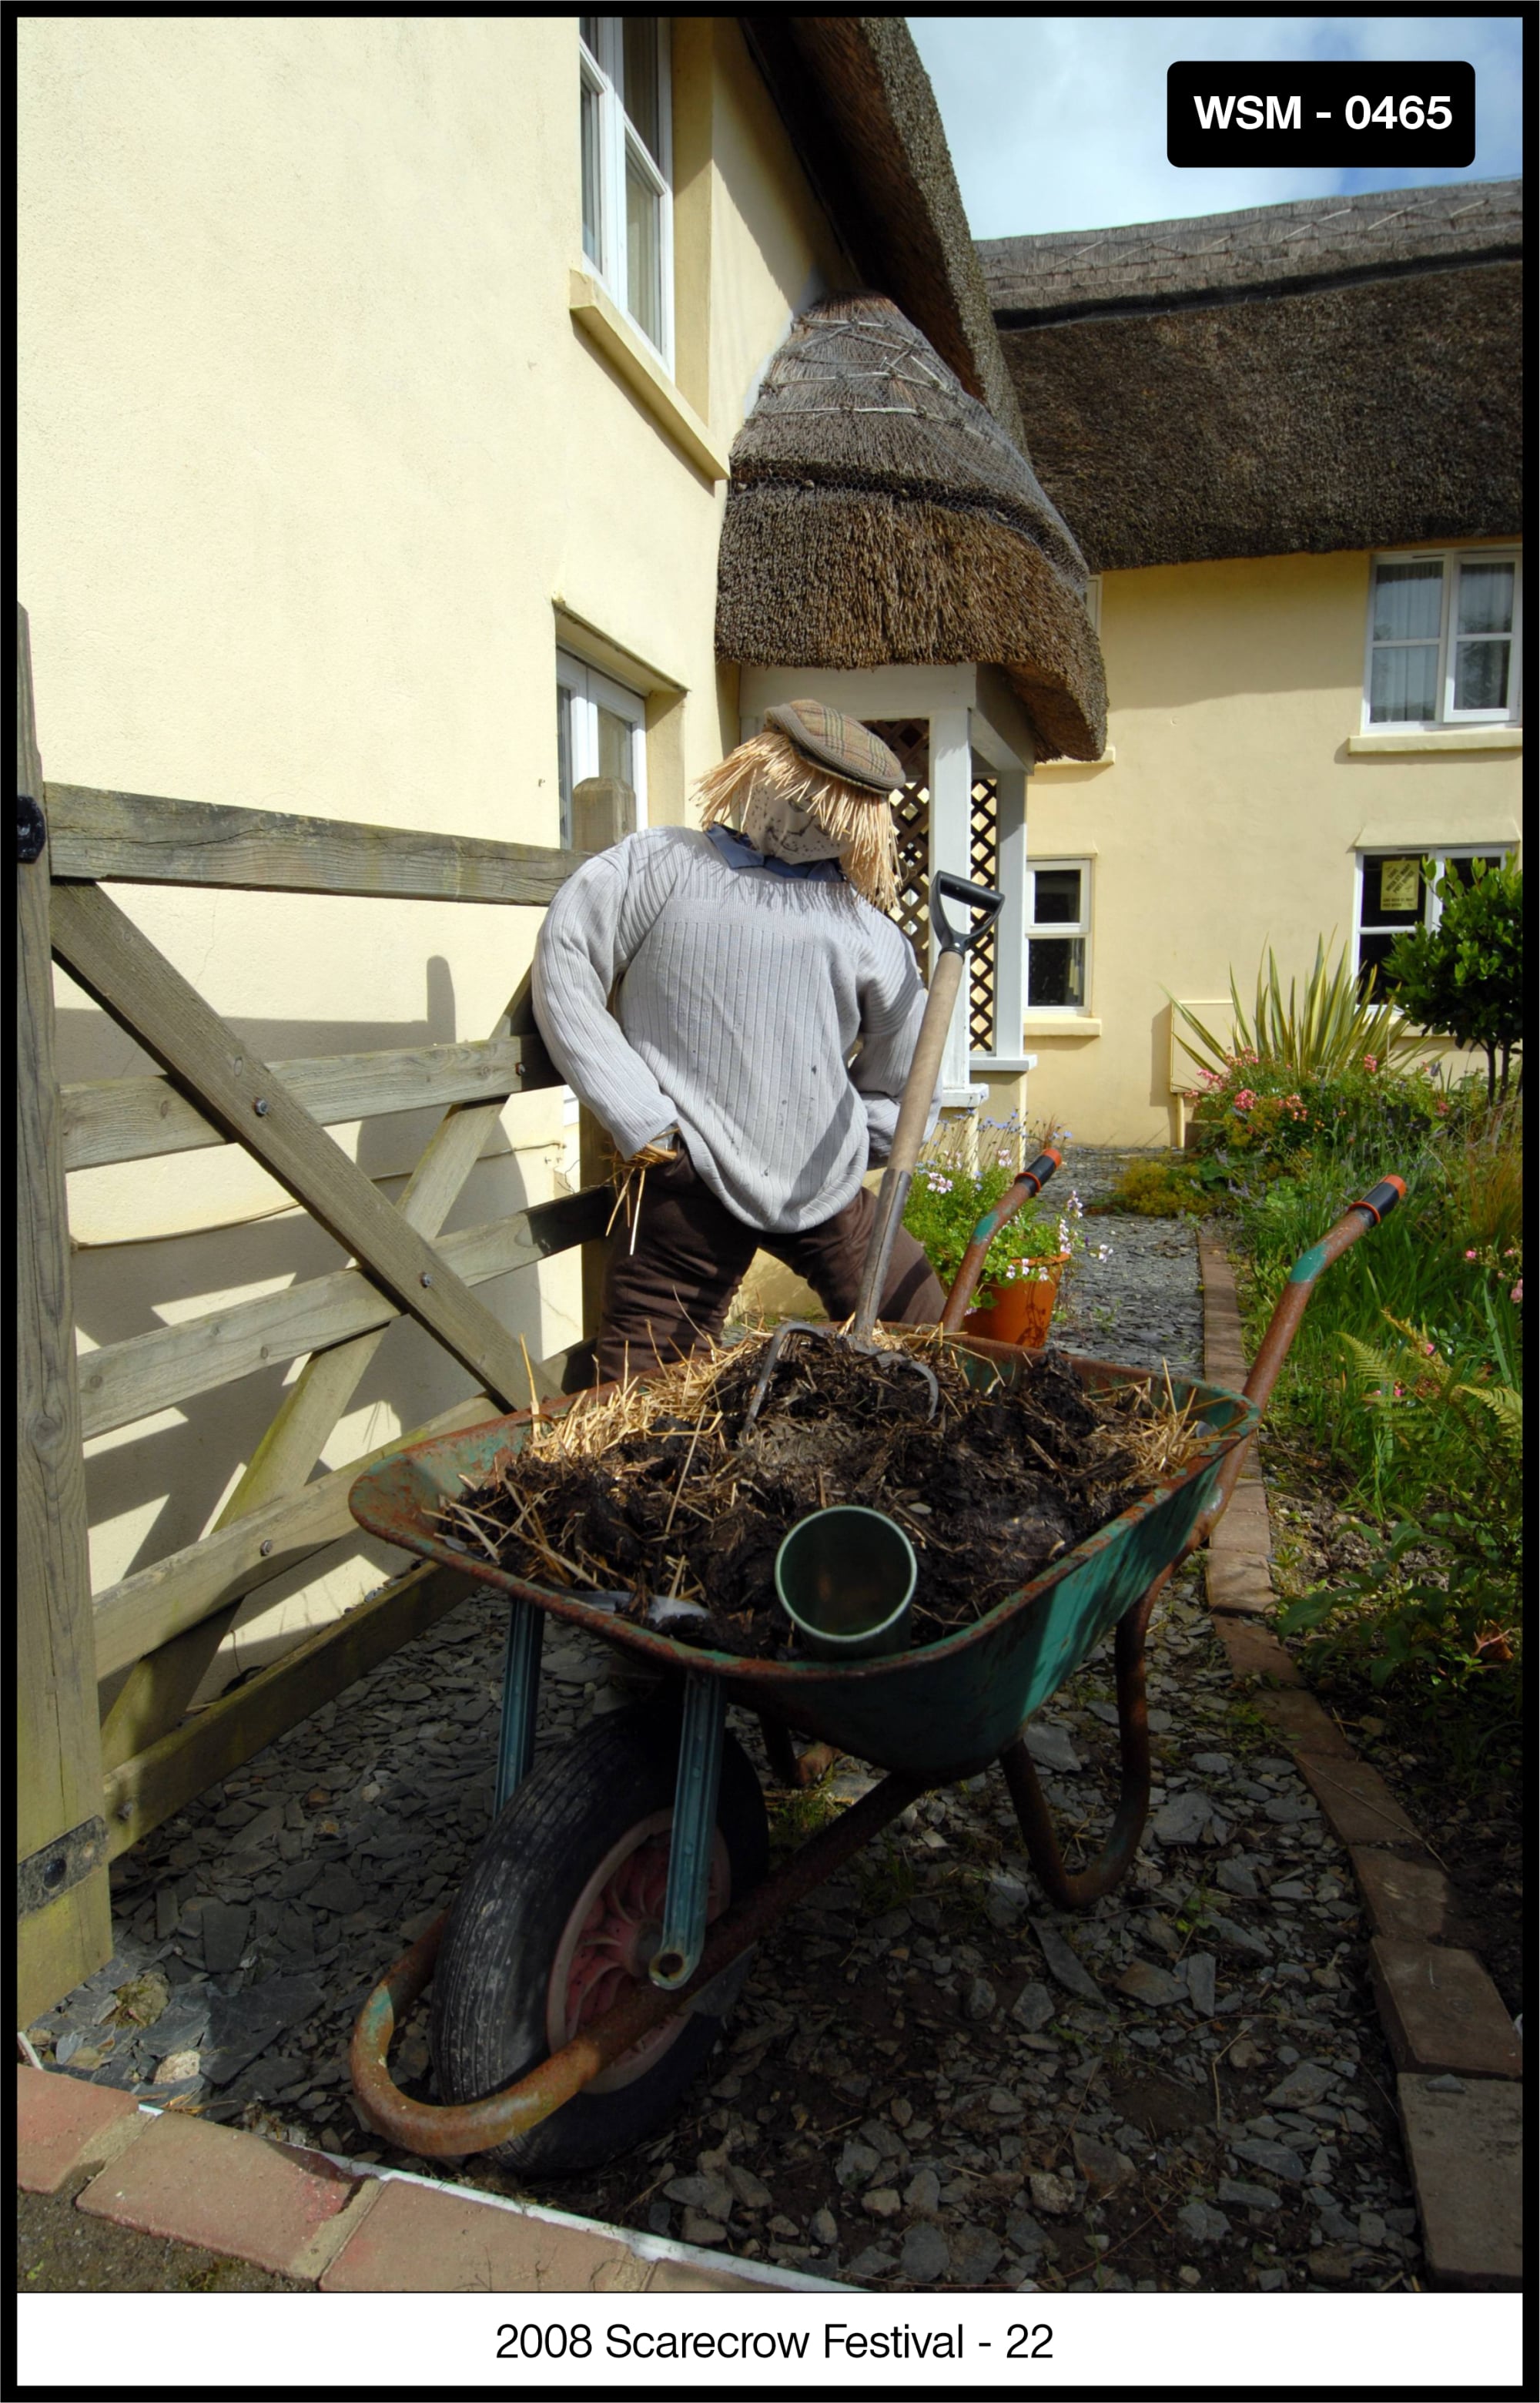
x=311 y=455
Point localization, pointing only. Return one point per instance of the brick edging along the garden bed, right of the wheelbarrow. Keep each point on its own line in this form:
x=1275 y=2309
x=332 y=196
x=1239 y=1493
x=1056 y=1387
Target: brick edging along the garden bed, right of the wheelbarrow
x=1455 y=2046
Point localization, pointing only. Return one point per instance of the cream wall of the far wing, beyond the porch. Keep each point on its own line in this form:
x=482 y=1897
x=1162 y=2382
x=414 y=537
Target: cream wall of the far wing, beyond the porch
x=1229 y=816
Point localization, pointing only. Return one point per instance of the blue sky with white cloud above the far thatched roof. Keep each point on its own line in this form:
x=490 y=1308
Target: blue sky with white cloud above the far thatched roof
x=1058 y=124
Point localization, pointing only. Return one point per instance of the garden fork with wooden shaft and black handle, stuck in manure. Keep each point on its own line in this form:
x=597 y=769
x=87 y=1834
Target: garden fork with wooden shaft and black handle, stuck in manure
x=909 y=1135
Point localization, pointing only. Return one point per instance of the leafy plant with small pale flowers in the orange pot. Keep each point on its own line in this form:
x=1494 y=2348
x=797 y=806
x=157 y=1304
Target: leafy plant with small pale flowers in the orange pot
x=950 y=1195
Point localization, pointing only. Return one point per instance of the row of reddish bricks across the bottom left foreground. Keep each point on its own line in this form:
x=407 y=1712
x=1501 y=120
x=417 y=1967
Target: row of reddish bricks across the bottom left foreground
x=333 y=2224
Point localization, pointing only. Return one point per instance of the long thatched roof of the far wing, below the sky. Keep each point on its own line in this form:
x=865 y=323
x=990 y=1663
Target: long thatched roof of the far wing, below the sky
x=1320 y=376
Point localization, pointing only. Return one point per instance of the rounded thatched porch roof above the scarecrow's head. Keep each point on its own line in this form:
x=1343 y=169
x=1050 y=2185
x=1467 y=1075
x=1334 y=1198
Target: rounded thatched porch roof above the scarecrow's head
x=881 y=515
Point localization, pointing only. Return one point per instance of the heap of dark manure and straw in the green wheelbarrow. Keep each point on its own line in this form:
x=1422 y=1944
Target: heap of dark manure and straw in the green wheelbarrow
x=650 y=1501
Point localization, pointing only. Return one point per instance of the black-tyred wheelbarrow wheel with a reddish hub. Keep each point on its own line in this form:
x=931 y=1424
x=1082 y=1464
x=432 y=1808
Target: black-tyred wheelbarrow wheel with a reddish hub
x=561 y=1909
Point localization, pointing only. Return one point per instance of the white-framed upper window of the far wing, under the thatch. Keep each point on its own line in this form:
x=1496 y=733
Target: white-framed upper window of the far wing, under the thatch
x=1445 y=640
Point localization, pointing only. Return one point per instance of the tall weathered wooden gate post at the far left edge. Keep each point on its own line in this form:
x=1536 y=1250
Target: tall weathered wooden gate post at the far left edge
x=64 y=1914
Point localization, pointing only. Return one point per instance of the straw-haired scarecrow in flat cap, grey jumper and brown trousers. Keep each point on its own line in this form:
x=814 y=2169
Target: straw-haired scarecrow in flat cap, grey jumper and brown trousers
x=739 y=1013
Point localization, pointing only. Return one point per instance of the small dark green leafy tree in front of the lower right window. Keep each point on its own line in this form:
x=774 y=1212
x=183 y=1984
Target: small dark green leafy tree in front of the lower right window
x=1464 y=977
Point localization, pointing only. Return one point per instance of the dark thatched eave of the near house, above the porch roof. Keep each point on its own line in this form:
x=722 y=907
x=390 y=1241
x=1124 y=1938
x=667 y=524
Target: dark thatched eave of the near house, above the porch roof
x=864 y=121
